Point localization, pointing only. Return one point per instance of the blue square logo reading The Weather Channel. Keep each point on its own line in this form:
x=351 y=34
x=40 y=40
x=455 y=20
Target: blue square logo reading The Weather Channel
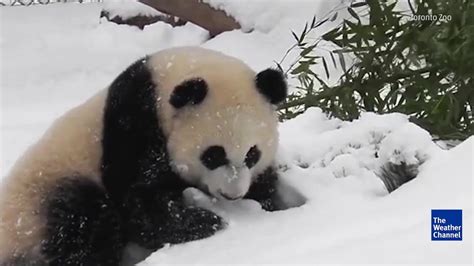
x=446 y=225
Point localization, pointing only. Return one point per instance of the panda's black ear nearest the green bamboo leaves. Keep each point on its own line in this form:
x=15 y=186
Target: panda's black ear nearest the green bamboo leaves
x=272 y=84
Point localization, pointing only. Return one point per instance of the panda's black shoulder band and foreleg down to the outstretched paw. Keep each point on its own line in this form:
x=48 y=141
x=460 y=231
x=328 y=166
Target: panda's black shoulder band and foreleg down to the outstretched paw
x=136 y=170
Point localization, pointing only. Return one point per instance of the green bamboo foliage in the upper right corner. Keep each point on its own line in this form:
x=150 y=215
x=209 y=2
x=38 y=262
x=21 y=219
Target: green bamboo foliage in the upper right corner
x=418 y=61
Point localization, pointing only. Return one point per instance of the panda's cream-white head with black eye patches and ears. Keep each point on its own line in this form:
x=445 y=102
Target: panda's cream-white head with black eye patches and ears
x=220 y=120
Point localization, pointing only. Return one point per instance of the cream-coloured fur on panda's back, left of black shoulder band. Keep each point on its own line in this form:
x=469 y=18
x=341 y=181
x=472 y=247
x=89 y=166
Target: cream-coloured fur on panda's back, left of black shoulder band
x=70 y=147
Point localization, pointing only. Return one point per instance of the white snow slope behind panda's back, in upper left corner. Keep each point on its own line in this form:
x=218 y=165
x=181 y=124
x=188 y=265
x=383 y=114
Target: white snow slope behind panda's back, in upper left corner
x=56 y=56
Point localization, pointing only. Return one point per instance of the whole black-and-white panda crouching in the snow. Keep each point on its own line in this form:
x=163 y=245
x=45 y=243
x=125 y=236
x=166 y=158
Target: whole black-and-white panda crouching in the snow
x=113 y=170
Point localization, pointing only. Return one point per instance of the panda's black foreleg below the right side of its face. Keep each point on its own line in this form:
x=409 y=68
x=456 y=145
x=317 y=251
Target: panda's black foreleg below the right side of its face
x=264 y=190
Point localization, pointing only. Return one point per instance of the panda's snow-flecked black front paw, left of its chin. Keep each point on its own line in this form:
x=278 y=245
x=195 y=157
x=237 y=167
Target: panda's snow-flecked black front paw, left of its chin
x=200 y=223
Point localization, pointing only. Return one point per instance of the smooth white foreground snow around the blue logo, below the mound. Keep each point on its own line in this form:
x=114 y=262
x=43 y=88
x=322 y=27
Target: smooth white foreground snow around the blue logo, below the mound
x=343 y=221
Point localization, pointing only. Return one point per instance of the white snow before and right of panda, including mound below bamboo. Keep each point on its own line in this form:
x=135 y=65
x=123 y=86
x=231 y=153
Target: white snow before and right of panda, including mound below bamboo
x=348 y=217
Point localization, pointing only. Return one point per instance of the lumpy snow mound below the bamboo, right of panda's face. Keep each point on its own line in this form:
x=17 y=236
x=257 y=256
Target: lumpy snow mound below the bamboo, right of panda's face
x=367 y=143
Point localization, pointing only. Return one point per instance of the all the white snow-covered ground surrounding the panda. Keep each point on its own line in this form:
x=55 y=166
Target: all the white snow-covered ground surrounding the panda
x=54 y=57
